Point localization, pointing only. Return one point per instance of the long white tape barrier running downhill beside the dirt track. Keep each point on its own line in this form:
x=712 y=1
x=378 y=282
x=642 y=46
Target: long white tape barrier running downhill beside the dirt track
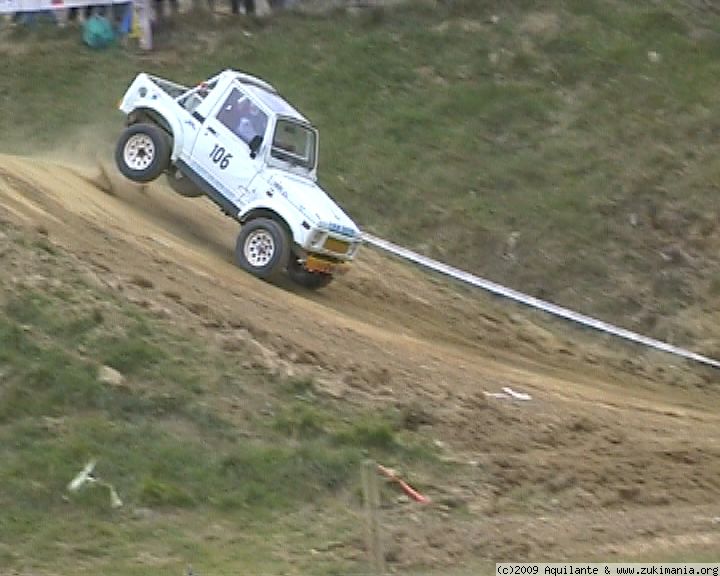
x=535 y=302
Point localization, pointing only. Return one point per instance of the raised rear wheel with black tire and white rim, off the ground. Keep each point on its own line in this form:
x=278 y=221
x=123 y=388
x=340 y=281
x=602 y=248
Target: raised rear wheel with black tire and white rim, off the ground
x=142 y=152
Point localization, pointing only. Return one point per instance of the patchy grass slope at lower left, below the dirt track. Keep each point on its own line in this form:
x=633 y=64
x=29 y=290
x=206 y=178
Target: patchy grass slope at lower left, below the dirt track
x=182 y=460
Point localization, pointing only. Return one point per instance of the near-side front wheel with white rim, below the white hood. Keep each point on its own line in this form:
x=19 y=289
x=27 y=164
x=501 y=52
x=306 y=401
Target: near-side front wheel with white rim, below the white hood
x=262 y=248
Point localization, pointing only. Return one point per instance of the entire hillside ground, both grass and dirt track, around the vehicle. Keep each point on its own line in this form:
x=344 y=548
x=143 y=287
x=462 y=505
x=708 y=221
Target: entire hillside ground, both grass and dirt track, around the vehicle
x=566 y=149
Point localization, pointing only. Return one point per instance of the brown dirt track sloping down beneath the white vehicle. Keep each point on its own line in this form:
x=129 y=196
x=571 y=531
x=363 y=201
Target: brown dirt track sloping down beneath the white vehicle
x=616 y=455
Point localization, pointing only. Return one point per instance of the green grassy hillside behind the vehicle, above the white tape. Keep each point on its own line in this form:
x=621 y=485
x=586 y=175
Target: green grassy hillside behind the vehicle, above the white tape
x=565 y=148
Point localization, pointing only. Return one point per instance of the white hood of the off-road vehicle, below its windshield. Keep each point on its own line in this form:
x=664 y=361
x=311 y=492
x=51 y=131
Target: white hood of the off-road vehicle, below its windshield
x=312 y=201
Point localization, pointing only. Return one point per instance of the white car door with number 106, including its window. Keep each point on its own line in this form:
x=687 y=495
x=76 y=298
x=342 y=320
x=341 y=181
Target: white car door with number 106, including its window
x=221 y=154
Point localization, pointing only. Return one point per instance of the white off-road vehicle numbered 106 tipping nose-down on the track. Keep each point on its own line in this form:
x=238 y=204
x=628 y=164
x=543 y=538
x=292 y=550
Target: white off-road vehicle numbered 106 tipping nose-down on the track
x=234 y=139
